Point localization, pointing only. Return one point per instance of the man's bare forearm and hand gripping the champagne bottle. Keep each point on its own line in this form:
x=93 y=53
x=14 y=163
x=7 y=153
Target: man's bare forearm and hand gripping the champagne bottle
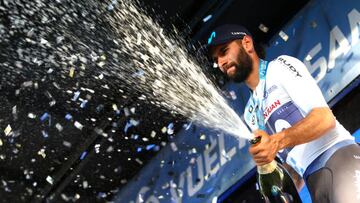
x=314 y=125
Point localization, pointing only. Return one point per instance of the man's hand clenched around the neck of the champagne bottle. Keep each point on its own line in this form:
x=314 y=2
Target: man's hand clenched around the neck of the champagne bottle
x=265 y=151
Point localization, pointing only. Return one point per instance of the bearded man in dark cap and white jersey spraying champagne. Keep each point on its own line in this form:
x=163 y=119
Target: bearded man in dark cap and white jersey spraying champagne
x=288 y=111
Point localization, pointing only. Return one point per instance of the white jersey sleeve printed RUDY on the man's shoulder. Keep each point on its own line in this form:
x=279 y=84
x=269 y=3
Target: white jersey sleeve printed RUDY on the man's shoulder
x=296 y=80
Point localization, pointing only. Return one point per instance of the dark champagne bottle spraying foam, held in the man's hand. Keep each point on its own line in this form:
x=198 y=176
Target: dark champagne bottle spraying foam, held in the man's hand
x=276 y=185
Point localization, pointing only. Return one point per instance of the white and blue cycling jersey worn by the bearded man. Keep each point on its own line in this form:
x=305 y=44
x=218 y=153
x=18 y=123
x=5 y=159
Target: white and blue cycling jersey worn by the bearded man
x=290 y=94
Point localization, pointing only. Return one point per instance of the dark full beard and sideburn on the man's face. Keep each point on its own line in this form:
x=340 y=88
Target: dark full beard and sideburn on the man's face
x=243 y=67
